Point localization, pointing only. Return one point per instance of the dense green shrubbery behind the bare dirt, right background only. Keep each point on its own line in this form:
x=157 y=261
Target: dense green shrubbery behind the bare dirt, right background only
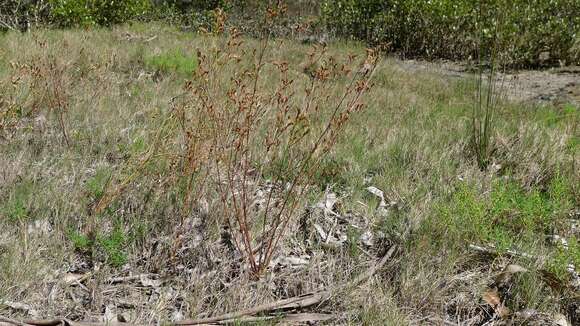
x=529 y=31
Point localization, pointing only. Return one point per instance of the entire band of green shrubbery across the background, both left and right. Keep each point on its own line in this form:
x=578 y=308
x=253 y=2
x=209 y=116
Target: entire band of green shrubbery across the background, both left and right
x=530 y=32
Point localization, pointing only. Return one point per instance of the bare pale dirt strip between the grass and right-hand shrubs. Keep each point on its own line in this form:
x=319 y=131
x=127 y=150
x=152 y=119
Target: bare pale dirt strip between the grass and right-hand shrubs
x=556 y=86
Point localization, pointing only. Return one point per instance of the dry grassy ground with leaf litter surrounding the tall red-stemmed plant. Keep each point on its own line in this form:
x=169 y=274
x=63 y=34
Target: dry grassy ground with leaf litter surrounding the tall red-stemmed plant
x=86 y=113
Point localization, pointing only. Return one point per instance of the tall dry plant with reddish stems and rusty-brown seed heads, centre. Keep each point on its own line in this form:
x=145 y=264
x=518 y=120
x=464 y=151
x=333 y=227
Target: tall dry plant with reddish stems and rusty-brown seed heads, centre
x=244 y=135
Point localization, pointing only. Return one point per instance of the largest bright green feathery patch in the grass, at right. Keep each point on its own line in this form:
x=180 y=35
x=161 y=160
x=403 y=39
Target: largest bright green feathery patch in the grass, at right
x=508 y=217
